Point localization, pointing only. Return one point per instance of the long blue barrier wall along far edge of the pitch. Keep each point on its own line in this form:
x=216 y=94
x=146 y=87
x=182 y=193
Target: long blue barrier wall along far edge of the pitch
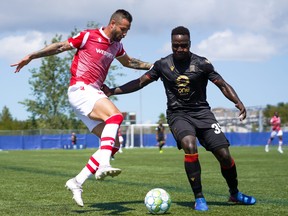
x=91 y=141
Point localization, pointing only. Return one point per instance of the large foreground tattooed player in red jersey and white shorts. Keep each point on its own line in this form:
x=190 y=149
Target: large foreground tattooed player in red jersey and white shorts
x=96 y=49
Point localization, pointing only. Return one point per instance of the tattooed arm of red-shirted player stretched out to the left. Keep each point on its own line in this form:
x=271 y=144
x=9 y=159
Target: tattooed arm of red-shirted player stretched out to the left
x=51 y=49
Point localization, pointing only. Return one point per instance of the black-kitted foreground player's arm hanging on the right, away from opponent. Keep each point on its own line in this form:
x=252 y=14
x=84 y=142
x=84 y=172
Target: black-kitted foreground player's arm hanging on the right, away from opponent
x=230 y=93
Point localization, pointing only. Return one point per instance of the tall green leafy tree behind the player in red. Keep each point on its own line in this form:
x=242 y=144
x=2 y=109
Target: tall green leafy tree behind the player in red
x=49 y=85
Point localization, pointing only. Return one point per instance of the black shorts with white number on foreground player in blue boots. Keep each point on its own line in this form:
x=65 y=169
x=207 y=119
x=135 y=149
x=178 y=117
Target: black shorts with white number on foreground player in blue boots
x=201 y=124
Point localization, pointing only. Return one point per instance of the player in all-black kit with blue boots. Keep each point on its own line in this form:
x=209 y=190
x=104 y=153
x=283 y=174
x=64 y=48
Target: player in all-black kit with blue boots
x=185 y=76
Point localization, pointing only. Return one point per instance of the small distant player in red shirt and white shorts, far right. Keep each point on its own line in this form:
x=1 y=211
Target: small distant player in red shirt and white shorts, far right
x=275 y=122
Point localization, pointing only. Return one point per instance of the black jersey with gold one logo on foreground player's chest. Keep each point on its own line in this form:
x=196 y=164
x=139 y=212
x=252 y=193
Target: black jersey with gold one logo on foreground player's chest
x=185 y=82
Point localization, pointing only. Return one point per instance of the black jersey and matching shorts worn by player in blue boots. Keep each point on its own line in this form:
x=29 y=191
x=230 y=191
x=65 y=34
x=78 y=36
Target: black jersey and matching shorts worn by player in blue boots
x=188 y=112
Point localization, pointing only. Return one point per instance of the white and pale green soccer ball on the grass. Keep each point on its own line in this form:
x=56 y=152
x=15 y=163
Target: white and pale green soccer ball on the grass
x=157 y=201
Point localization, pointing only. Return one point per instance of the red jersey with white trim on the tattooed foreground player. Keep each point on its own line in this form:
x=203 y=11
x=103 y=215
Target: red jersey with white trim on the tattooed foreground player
x=94 y=56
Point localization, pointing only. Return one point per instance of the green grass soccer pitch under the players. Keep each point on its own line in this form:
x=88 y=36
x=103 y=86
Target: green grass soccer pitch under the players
x=32 y=182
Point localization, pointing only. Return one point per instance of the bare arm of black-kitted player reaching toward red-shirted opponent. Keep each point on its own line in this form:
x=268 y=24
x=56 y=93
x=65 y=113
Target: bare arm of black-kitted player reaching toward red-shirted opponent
x=128 y=87
